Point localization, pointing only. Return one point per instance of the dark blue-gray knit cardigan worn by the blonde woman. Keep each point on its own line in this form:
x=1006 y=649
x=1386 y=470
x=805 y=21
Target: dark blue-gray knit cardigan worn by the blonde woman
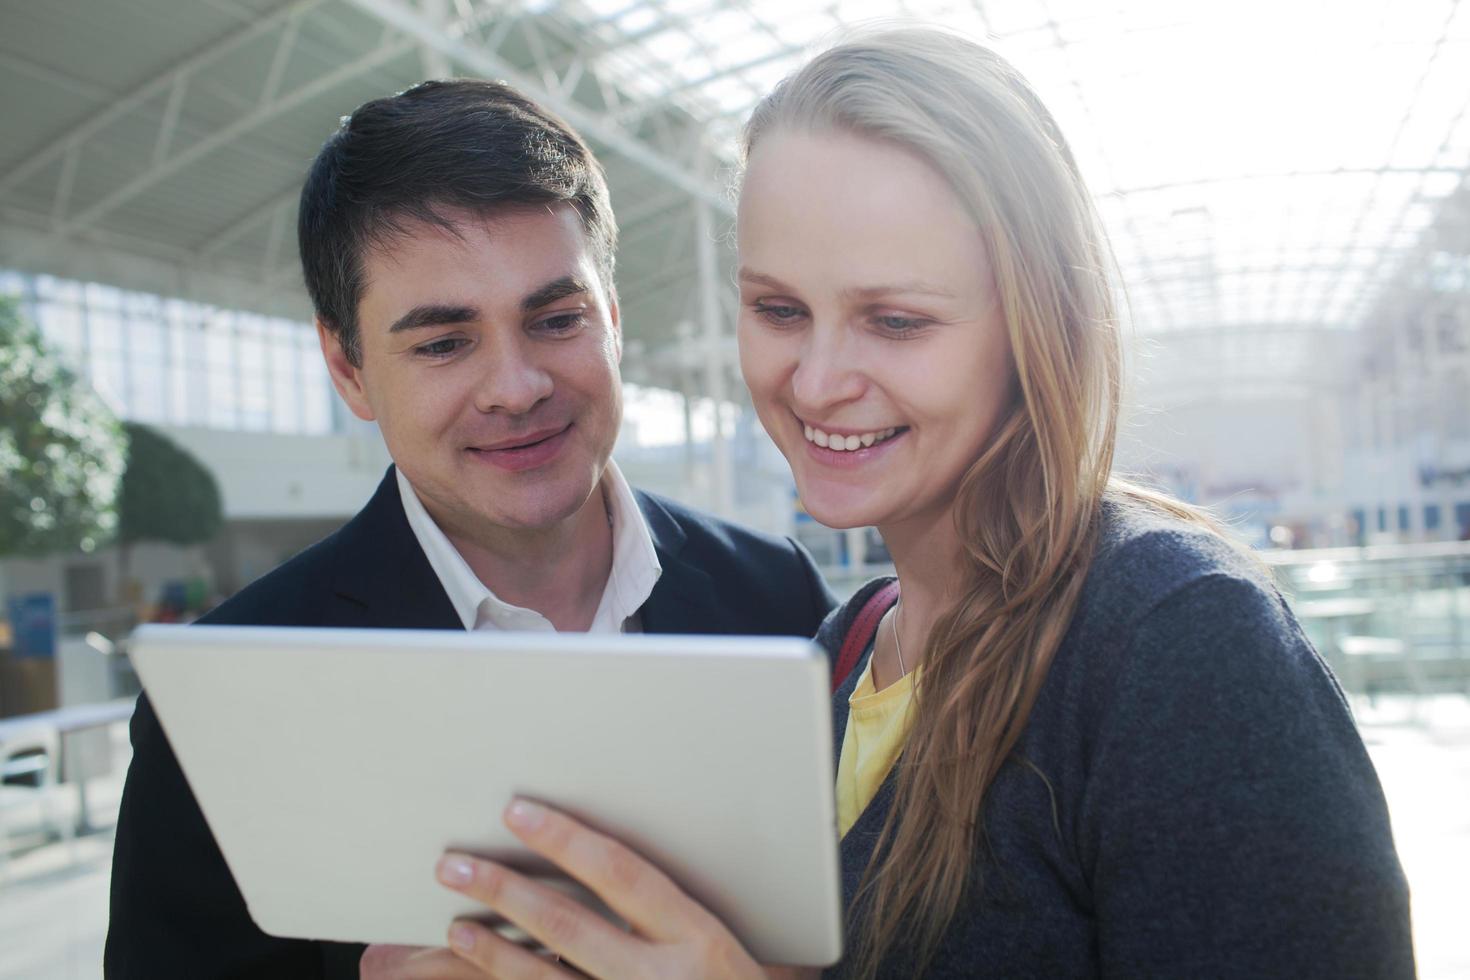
x=1197 y=801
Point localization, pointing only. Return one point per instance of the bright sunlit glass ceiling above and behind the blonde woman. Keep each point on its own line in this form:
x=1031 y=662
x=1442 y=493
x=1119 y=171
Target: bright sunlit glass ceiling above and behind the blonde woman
x=1258 y=164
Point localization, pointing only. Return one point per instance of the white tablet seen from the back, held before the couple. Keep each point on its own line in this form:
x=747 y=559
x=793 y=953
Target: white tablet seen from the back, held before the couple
x=336 y=766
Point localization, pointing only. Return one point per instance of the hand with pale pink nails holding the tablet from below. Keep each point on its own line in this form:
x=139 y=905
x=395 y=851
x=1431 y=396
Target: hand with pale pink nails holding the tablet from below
x=673 y=935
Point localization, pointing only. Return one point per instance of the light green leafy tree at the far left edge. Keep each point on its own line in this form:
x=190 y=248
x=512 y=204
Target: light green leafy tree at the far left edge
x=61 y=450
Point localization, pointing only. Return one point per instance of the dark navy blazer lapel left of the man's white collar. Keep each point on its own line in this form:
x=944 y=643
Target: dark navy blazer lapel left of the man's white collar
x=383 y=580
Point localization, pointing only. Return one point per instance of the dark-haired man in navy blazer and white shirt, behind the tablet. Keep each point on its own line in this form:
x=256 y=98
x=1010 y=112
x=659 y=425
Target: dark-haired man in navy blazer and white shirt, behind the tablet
x=458 y=245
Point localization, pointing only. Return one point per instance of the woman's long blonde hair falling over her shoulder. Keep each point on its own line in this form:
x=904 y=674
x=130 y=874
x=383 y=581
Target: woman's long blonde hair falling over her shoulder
x=1028 y=509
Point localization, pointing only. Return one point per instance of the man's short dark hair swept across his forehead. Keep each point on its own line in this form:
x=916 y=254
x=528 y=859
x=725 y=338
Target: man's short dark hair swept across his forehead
x=423 y=155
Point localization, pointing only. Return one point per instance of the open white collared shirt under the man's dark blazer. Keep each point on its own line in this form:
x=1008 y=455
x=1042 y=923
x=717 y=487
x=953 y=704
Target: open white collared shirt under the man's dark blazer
x=630 y=584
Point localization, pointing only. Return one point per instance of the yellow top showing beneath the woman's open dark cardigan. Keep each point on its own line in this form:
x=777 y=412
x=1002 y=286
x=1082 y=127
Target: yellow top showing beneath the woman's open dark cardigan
x=878 y=725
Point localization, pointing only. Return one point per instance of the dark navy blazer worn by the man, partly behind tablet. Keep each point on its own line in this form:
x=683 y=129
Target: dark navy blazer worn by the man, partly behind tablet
x=176 y=909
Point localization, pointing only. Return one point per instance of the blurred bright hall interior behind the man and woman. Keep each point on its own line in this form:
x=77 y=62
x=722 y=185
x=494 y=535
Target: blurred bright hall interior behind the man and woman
x=1286 y=186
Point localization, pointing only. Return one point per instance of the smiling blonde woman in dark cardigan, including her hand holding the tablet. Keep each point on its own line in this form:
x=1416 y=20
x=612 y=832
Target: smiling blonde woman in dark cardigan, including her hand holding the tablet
x=1089 y=740
